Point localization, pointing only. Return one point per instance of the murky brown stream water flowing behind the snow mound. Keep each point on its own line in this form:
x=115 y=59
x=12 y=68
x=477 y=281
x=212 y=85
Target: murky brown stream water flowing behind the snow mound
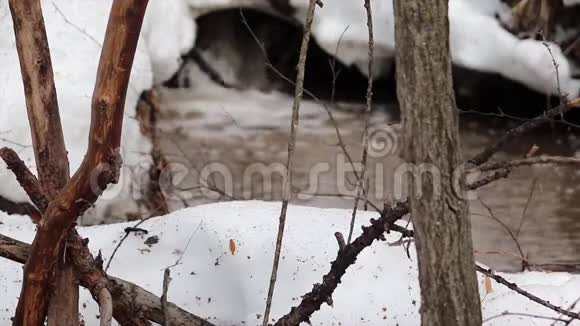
x=231 y=145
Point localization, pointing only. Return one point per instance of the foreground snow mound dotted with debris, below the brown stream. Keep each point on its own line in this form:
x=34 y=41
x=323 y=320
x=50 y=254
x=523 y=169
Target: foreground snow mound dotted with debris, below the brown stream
x=230 y=288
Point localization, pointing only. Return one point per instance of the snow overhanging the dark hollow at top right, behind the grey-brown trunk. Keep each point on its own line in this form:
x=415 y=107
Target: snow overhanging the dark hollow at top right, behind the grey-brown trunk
x=477 y=41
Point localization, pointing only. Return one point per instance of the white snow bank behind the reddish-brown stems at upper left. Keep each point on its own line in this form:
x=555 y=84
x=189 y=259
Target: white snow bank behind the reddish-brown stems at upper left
x=75 y=33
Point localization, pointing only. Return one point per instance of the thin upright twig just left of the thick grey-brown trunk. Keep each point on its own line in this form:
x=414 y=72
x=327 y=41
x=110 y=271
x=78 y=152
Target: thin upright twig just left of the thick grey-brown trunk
x=369 y=97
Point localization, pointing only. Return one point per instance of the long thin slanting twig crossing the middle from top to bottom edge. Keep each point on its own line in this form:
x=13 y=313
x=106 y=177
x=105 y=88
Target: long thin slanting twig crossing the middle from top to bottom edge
x=286 y=193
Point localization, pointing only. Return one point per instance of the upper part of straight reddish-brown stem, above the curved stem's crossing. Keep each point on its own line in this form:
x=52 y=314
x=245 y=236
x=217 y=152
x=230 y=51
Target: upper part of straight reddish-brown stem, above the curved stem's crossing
x=41 y=101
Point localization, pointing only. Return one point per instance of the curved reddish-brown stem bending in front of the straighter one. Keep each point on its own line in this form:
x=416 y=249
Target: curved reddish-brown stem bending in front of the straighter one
x=100 y=166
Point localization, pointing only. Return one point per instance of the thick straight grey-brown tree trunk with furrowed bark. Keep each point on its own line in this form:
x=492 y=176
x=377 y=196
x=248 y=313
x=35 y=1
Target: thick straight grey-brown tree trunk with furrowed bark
x=449 y=292
